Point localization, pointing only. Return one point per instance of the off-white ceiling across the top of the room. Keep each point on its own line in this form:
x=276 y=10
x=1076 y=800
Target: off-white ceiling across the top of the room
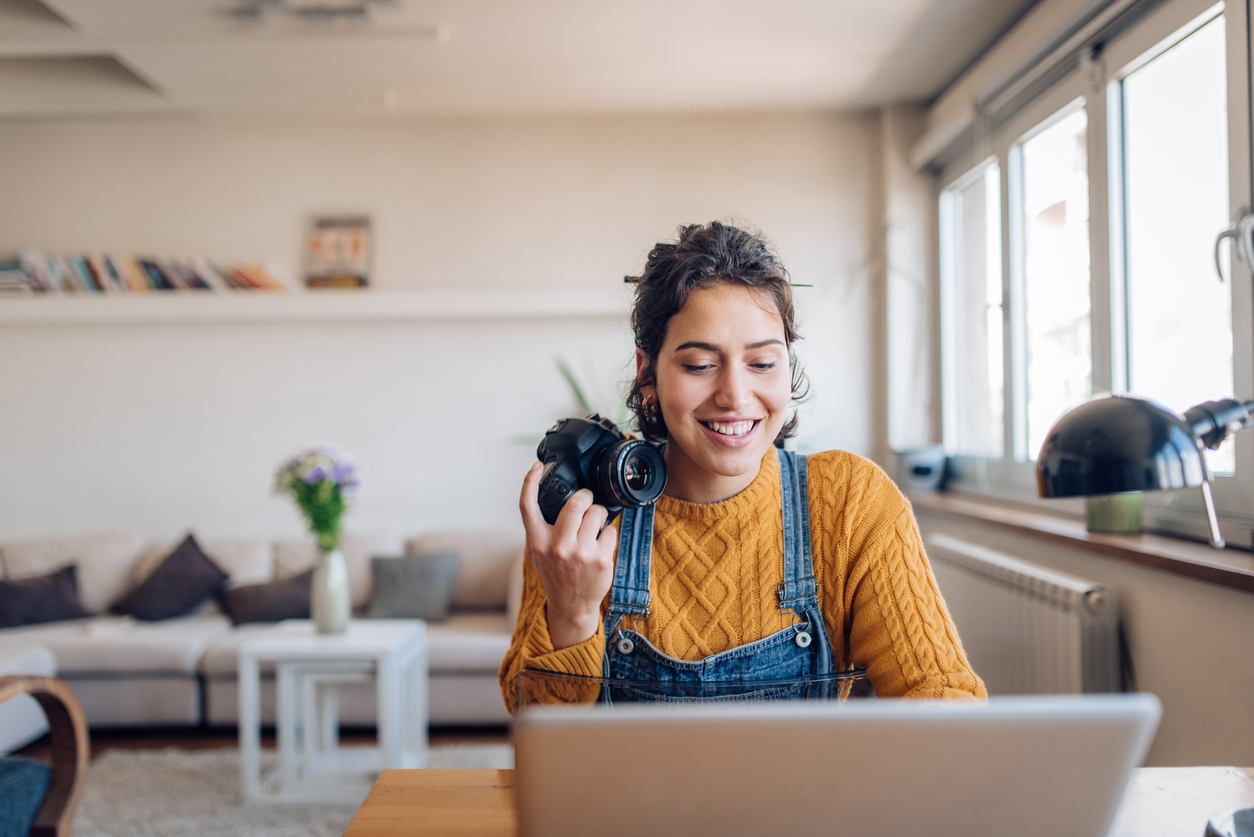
x=62 y=58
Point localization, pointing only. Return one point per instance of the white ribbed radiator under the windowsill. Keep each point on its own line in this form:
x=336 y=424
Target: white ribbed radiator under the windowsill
x=1028 y=629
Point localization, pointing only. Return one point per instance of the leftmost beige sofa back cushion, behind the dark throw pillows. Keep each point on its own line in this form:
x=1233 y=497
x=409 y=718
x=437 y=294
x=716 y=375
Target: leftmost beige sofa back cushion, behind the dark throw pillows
x=106 y=563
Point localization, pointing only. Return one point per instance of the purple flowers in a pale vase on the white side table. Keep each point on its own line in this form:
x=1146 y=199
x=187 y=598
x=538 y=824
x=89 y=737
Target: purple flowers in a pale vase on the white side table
x=324 y=481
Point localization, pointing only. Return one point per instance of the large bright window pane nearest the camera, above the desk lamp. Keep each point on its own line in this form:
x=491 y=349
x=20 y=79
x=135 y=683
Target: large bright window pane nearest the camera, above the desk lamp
x=1179 y=314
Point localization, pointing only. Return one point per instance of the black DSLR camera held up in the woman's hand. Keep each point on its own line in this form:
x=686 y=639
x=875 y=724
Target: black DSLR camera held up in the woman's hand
x=593 y=454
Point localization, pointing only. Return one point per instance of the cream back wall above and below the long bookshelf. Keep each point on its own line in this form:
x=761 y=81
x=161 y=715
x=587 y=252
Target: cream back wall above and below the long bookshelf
x=162 y=427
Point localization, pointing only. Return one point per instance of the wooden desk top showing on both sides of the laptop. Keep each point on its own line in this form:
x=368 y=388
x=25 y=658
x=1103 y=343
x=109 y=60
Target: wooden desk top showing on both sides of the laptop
x=1162 y=802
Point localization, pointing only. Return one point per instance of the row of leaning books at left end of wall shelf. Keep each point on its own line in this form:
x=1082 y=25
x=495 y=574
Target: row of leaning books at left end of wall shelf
x=34 y=272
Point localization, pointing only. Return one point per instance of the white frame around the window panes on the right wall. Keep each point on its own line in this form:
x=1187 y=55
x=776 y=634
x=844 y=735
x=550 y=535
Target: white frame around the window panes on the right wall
x=1097 y=86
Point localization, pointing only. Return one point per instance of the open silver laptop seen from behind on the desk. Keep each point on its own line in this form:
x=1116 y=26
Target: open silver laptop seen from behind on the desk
x=1045 y=766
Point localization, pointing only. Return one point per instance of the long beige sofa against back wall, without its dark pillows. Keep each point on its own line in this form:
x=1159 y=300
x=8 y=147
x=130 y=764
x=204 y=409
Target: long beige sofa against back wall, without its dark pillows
x=182 y=671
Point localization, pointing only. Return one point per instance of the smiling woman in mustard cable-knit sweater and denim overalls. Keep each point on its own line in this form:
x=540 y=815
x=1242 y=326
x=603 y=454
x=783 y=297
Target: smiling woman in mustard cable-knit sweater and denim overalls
x=758 y=565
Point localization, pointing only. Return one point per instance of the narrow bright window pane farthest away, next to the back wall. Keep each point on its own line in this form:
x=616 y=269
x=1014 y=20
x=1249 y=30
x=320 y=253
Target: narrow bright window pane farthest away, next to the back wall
x=972 y=287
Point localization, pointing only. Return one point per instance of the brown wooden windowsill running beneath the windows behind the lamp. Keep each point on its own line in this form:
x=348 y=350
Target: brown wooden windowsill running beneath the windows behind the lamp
x=1226 y=568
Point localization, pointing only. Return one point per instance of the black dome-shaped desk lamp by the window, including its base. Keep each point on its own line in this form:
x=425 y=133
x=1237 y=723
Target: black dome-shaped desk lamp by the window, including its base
x=1118 y=444
